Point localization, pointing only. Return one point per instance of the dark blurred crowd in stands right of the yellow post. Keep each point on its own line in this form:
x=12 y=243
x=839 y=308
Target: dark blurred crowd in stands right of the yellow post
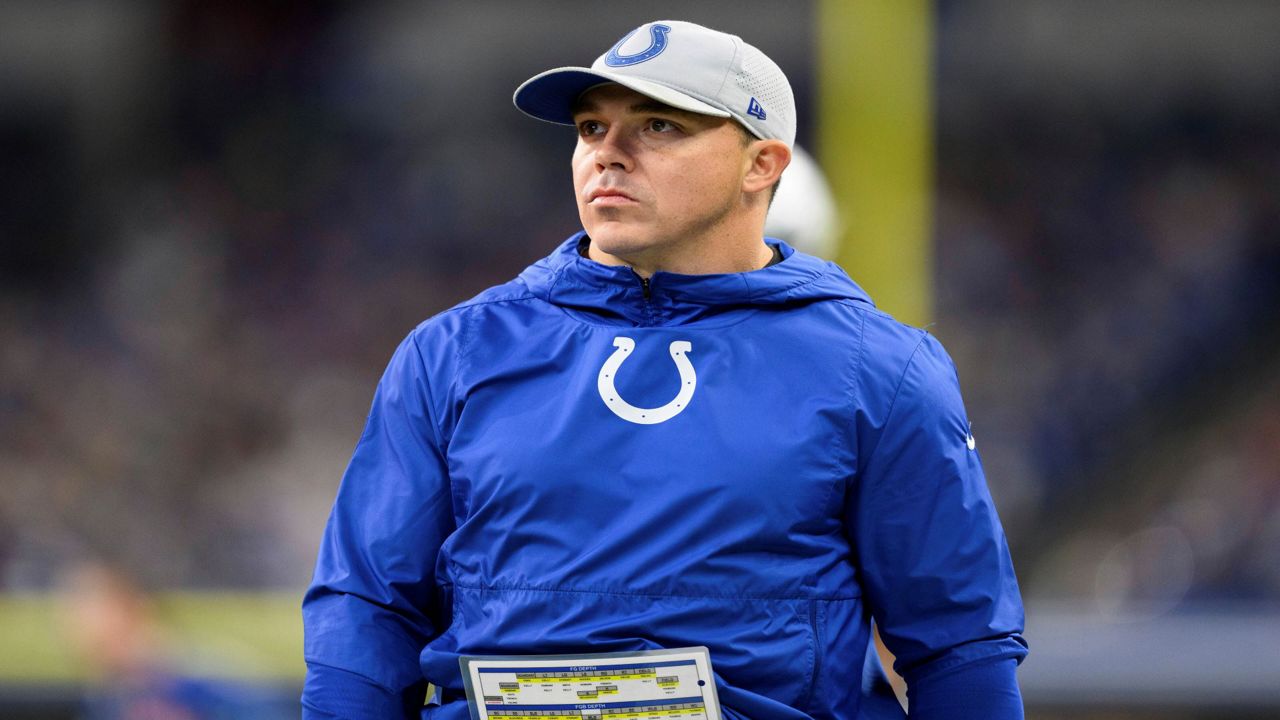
x=1112 y=290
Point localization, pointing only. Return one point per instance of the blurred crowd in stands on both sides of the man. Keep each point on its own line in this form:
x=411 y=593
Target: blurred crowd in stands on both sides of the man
x=217 y=222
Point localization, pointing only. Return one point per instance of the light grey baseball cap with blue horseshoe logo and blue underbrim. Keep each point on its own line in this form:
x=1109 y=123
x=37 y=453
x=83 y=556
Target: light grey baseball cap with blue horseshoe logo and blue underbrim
x=683 y=65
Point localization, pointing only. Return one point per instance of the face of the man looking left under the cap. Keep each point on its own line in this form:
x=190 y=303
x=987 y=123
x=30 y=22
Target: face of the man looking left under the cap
x=653 y=183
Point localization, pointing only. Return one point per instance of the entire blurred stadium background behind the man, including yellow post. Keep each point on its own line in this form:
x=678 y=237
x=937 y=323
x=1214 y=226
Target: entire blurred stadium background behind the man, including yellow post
x=217 y=221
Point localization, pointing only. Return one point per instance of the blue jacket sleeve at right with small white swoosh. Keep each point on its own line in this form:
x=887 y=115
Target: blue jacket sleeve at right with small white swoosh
x=932 y=557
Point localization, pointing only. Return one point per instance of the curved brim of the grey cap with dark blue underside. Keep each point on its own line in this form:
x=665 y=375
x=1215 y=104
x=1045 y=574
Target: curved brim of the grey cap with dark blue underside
x=551 y=97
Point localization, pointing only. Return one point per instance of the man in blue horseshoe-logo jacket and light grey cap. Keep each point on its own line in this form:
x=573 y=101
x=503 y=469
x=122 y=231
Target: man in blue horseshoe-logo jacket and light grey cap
x=669 y=434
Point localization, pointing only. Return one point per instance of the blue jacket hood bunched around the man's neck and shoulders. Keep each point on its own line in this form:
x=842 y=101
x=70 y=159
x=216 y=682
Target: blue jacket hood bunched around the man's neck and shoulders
x=569 y=280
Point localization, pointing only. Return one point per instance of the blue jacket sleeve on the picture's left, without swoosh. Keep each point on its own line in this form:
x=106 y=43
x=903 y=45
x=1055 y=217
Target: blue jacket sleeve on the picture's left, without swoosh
x=373 y=603
